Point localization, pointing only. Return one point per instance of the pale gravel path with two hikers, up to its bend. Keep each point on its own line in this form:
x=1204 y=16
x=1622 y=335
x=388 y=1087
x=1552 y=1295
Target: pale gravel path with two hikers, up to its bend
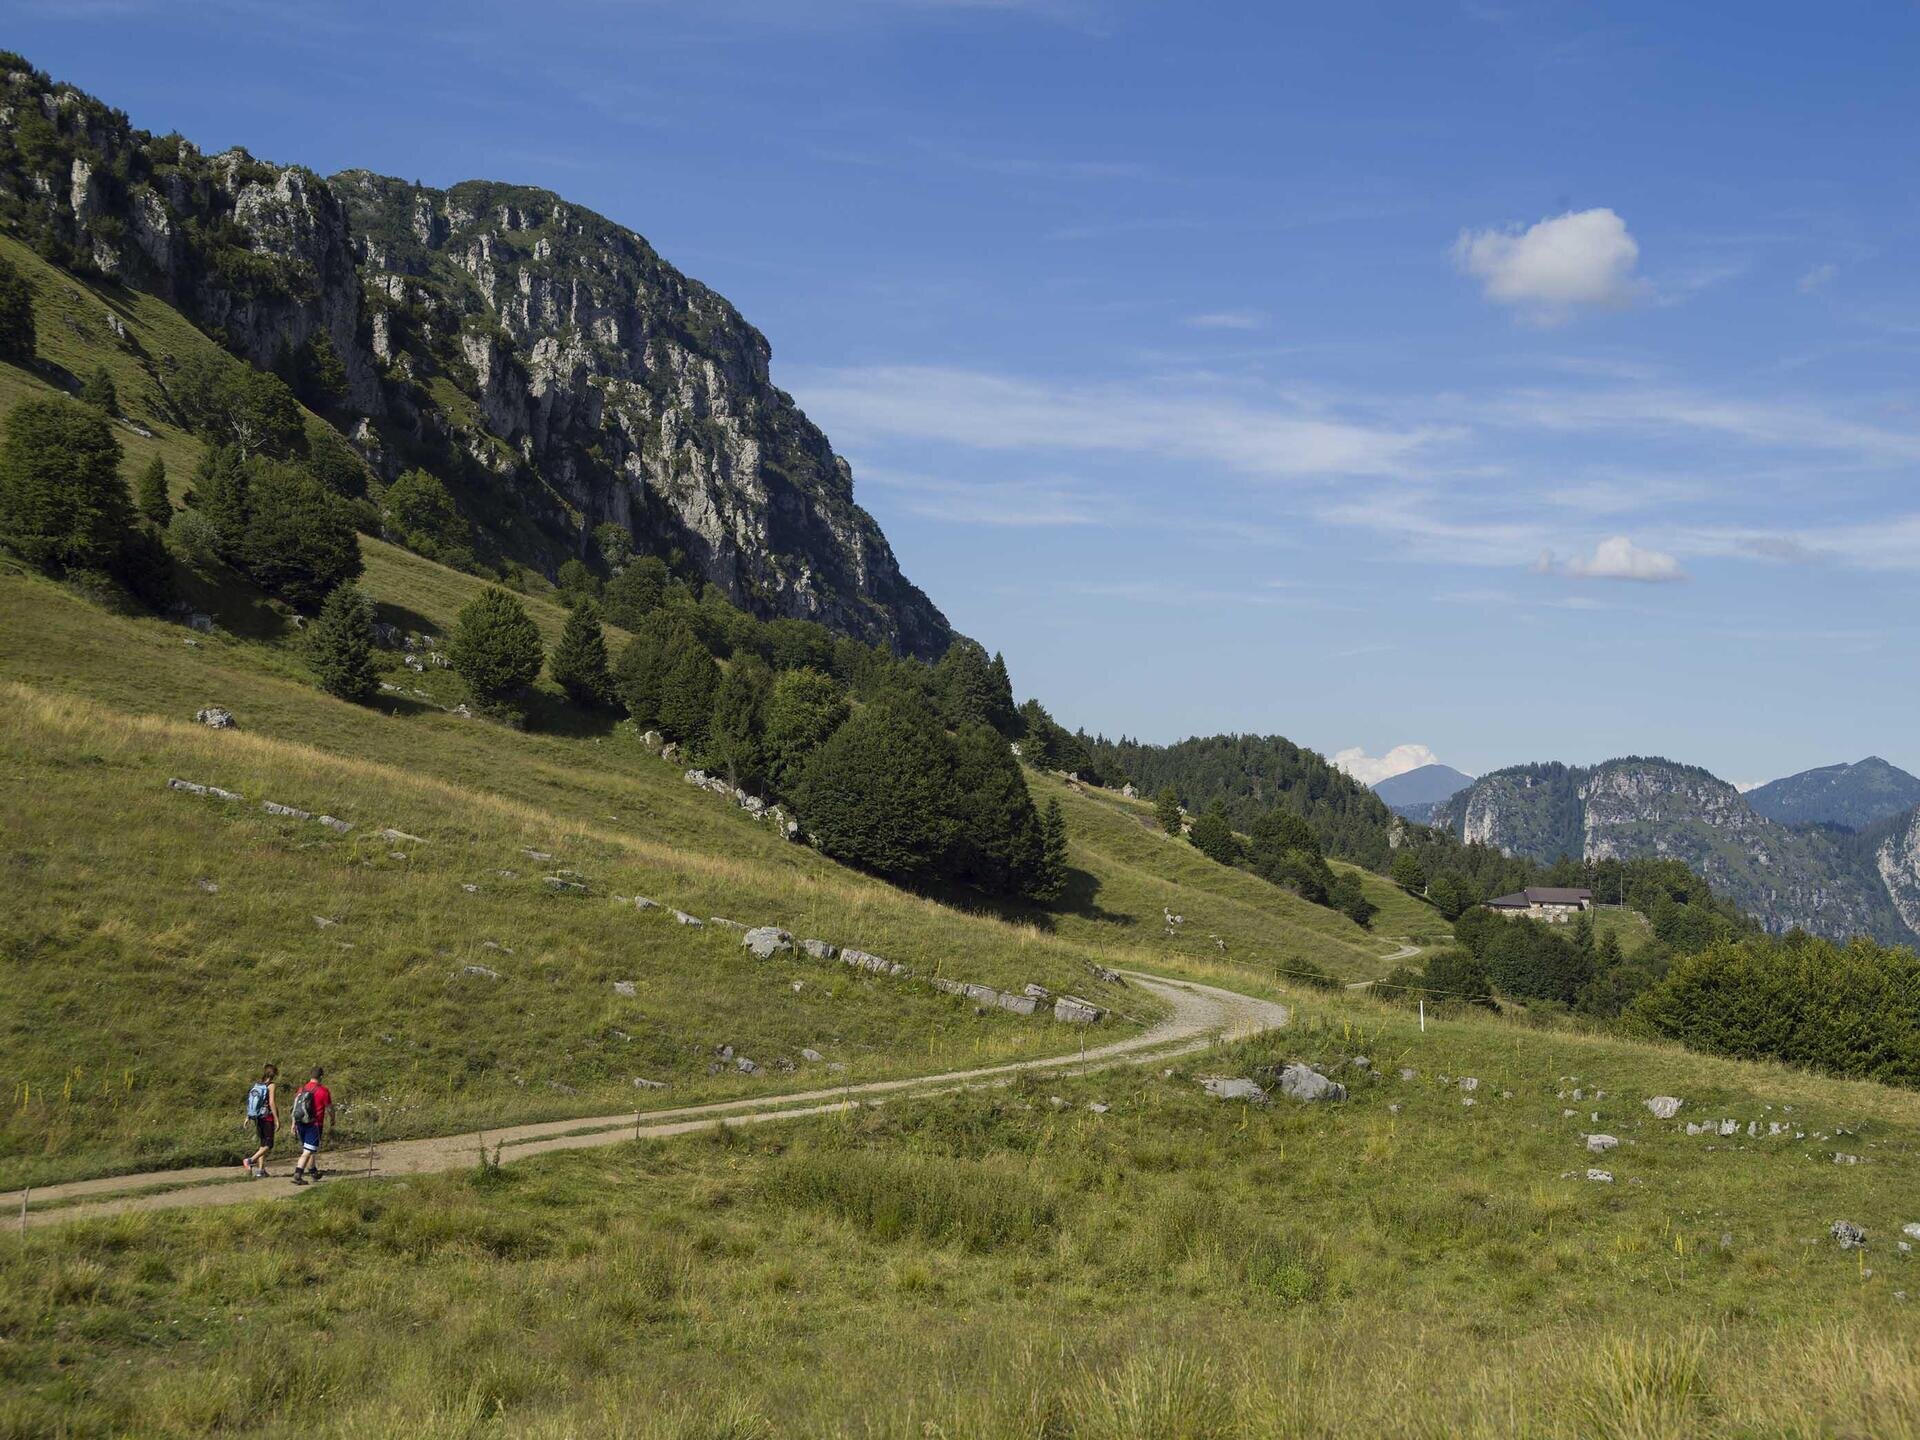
x=1199 y=1017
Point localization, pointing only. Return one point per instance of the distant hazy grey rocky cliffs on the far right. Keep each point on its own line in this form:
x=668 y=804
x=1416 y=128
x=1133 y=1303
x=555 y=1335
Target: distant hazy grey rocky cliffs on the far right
x=1646 y=807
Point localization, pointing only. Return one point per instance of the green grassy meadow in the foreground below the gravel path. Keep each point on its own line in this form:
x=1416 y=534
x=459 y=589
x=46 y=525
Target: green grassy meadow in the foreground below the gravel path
x=1005 y=1266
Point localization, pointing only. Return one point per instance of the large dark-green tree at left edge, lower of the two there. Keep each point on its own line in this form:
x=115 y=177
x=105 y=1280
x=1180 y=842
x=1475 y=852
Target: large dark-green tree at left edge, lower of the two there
x=62 y=500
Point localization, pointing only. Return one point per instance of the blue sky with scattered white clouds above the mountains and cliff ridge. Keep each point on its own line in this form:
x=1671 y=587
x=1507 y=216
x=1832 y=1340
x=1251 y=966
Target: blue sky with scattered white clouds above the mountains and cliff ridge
x=1516 y=381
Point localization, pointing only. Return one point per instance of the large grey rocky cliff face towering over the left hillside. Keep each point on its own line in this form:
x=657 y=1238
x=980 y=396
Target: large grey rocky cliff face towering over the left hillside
x=548 y=364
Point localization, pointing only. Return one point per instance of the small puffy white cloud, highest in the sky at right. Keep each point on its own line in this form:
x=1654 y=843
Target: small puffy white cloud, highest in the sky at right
x=1564 y=264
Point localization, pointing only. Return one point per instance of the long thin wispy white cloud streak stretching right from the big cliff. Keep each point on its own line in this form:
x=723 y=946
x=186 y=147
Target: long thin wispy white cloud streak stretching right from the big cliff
x=1182 y=421
